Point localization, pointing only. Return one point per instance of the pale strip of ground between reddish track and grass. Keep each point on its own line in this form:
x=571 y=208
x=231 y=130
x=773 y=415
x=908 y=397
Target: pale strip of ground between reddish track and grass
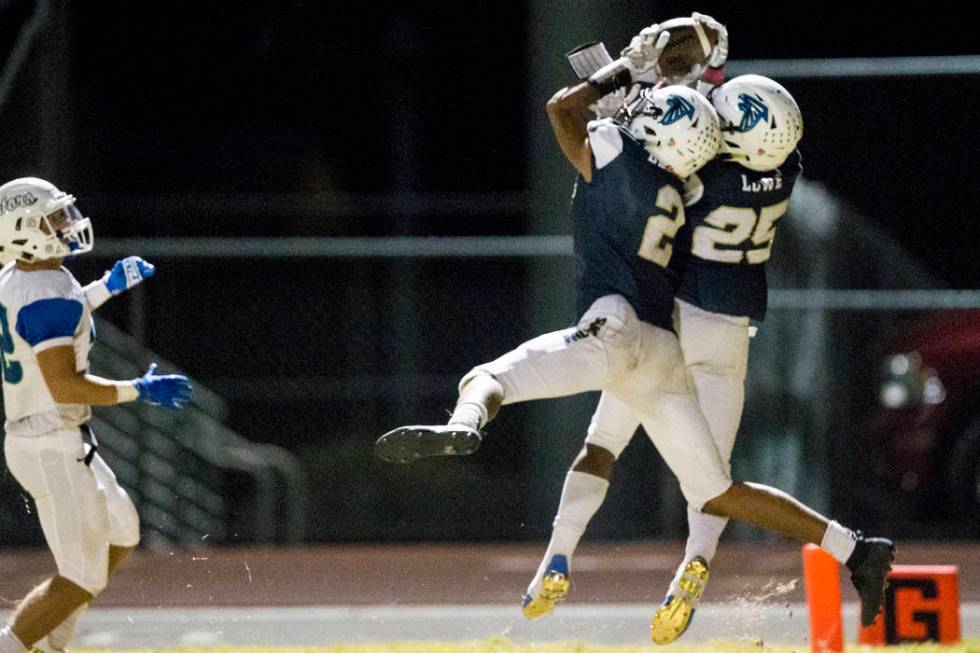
x=315 y=625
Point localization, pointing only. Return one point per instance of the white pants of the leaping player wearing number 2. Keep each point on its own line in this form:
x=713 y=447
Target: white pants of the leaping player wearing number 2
x=633 y=362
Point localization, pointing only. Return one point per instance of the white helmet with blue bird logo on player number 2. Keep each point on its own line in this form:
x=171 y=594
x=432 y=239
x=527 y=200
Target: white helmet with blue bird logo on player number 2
x=677 y=126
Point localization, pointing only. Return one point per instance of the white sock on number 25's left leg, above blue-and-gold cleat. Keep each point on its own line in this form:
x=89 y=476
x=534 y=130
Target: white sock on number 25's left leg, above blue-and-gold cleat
x=581 y=497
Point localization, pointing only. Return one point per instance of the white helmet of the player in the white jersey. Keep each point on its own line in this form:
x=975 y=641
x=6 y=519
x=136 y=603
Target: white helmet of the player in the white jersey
x=38 y=222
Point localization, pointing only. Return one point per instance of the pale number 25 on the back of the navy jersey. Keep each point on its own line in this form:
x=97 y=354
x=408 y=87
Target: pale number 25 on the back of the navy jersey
x=733 y=227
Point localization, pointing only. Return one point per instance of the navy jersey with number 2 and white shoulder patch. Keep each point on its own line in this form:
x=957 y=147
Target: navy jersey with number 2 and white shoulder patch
x=625 y=220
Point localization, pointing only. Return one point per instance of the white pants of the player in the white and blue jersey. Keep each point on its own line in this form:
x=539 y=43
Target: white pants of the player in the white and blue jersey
x=82 y=508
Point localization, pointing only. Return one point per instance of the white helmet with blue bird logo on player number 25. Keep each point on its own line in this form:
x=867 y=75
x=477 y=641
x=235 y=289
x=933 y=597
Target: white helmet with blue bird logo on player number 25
x=761 y=123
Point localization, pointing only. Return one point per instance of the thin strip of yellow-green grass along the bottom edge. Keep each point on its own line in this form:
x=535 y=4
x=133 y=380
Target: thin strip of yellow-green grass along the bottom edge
x=503 y=646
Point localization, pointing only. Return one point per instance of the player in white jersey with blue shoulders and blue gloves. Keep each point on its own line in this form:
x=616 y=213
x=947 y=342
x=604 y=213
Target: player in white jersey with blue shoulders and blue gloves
x=46 y=330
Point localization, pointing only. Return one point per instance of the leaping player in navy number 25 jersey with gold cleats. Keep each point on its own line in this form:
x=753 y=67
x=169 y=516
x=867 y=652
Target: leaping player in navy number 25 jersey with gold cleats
x=733 y=204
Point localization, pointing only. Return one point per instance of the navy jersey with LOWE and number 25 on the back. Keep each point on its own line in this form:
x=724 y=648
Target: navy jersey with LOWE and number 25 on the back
x=732 y=215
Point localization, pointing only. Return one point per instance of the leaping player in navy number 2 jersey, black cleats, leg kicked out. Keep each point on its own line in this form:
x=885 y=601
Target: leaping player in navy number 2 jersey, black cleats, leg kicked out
x=627 y=211
